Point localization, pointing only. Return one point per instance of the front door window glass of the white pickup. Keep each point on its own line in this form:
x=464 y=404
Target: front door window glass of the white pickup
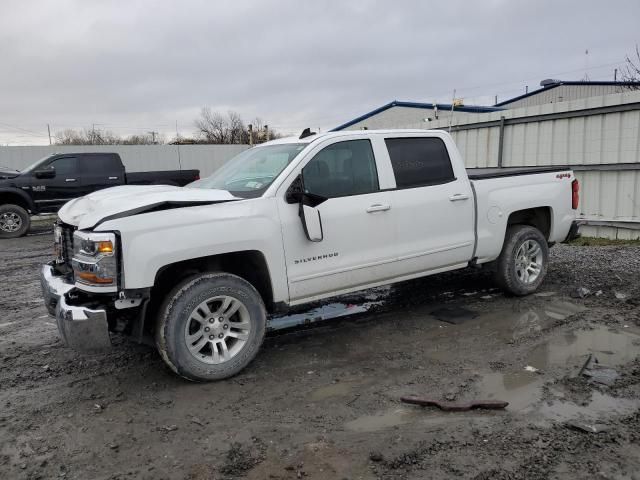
x=342 y=169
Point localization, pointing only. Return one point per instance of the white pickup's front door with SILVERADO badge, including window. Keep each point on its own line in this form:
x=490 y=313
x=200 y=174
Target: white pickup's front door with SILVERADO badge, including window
x=357 y=225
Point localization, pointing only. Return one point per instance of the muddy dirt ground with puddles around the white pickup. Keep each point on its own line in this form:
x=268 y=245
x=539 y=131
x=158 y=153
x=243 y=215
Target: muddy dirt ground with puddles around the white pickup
x=324 y=402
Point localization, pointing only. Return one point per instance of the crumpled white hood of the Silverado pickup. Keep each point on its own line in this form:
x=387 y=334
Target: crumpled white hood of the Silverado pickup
x=87 y=211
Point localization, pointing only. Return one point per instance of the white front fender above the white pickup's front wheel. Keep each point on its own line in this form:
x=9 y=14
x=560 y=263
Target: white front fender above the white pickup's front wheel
x=154 y=240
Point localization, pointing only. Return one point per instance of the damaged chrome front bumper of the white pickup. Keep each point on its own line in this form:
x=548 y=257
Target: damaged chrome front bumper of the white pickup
x=81 y=328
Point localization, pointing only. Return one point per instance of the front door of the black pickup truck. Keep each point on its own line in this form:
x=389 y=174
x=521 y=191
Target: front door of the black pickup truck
x=50 y=194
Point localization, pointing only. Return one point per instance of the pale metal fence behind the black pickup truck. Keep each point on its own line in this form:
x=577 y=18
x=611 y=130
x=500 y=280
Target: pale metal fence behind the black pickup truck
x=136 y=158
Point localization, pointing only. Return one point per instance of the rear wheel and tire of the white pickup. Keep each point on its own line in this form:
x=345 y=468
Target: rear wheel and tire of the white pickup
x=522 y=264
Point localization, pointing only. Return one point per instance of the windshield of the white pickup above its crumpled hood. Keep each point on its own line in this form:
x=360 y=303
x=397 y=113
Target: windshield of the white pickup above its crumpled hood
x=249 y=174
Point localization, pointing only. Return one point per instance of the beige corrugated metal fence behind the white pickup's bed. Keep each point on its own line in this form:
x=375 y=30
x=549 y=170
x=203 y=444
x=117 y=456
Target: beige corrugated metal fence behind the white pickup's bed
x=598 y=137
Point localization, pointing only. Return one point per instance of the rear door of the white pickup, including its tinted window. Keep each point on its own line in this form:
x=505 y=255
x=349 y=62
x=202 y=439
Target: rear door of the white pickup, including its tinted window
x=433 y=205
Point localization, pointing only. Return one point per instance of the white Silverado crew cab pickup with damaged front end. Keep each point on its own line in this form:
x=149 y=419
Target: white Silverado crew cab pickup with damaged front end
x=199 y=269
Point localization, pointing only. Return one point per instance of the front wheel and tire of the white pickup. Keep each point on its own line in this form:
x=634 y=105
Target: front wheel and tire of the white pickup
x=211 y=326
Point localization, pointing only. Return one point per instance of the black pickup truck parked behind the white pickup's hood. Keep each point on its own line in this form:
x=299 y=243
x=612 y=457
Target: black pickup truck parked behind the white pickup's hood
x=50 y=182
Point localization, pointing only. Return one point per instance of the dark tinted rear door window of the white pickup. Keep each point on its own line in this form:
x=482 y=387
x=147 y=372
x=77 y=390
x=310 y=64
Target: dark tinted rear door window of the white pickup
x=419 y=161
